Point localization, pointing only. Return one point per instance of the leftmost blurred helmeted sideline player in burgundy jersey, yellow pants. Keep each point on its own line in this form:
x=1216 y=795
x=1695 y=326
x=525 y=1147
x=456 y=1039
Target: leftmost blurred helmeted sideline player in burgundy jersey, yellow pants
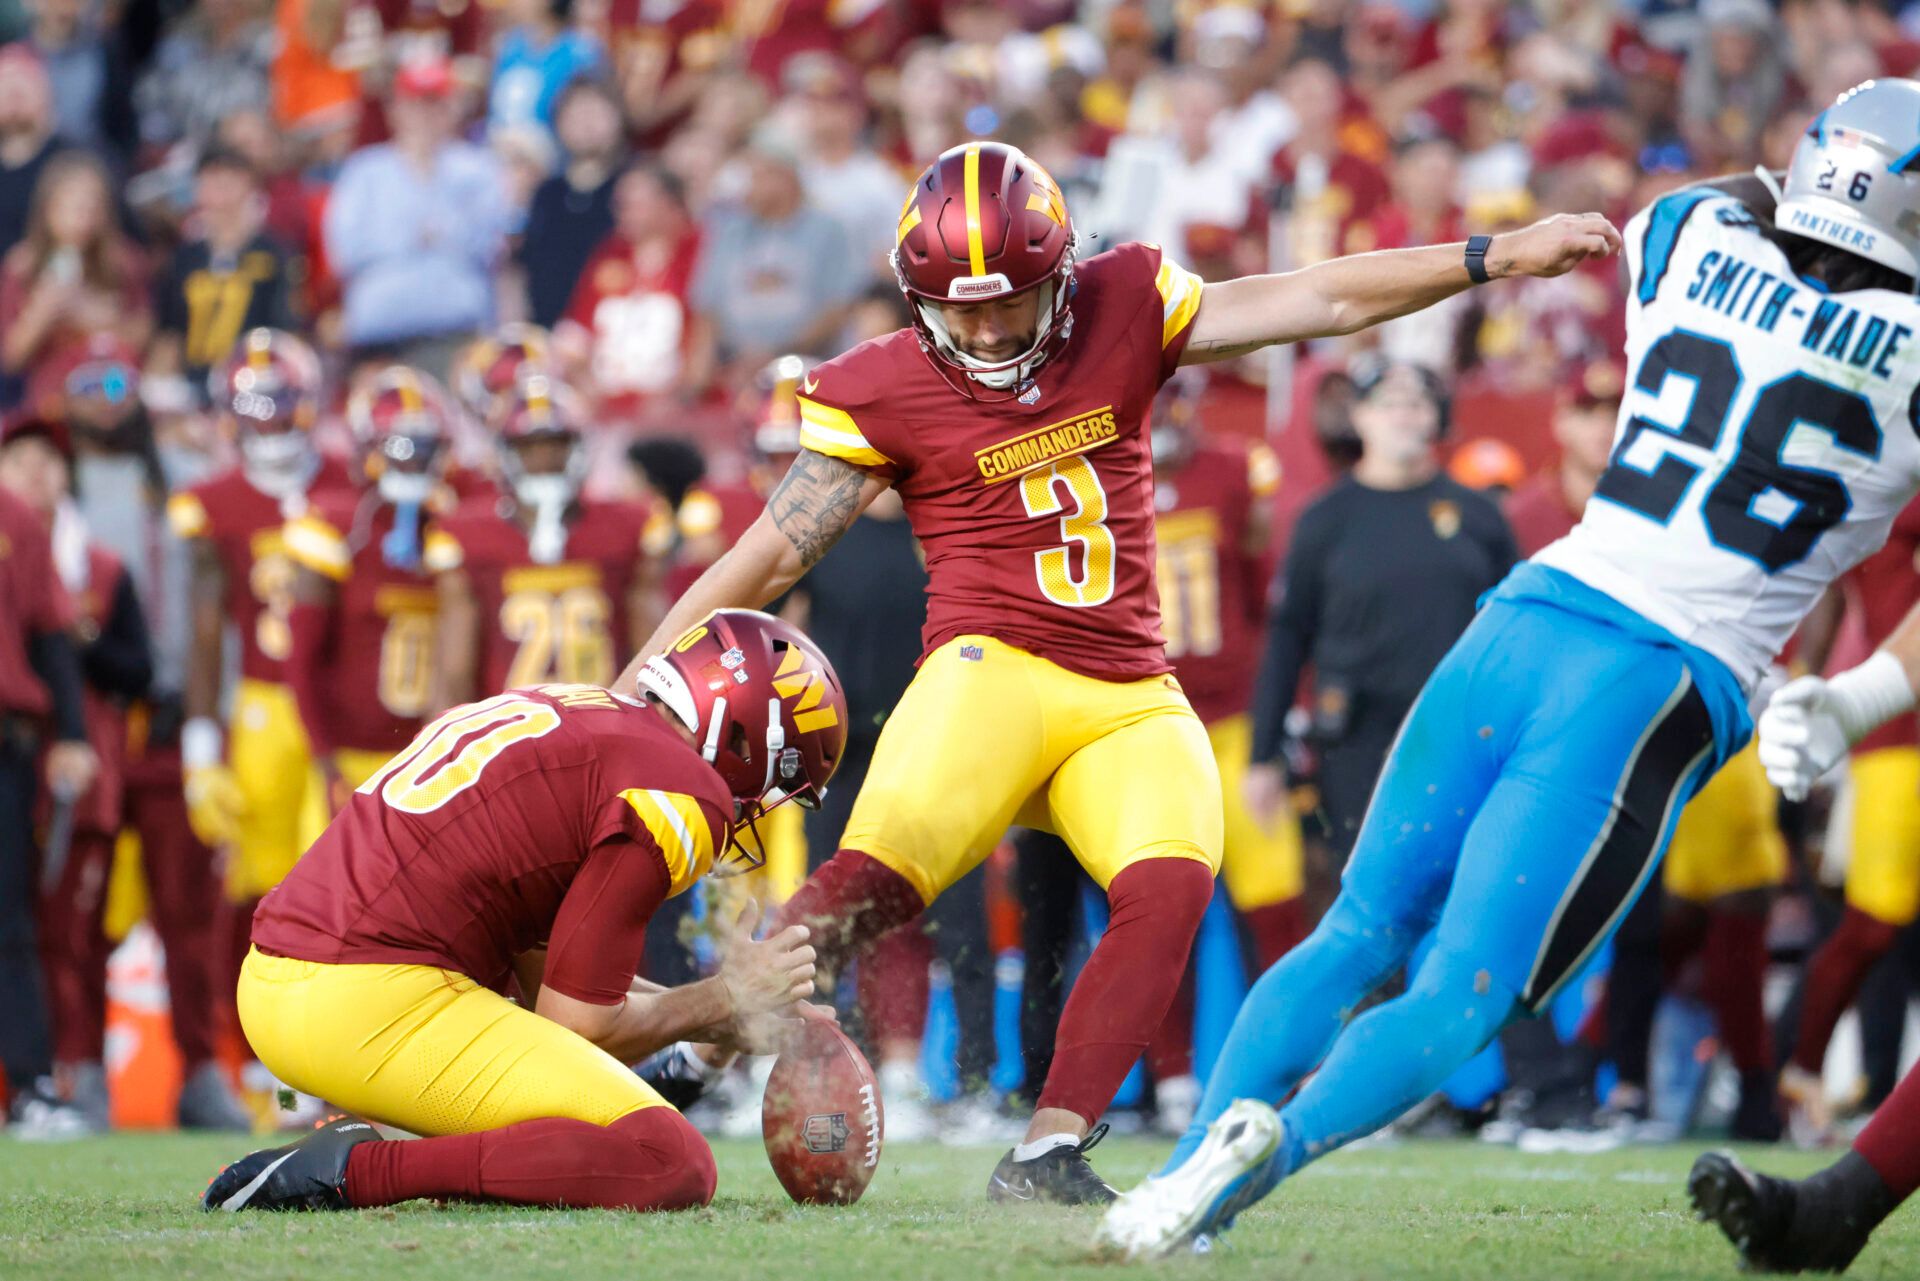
x=256 y=796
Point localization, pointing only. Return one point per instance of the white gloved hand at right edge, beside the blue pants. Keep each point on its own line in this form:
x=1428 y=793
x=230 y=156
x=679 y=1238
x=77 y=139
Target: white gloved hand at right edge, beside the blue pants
x=1812 y=723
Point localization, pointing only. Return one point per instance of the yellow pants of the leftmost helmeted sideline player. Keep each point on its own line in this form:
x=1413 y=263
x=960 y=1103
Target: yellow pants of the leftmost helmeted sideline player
x=285 y=802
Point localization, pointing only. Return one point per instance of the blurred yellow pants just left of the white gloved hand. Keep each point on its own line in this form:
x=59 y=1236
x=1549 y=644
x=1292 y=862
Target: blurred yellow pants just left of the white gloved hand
x=1727 y=838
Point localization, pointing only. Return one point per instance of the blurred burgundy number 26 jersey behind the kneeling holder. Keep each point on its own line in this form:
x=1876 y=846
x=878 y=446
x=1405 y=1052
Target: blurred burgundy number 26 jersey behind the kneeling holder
x=565 y=621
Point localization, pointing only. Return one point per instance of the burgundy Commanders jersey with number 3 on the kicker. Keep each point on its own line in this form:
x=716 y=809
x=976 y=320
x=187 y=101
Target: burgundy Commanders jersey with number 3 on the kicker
x=1036 y=512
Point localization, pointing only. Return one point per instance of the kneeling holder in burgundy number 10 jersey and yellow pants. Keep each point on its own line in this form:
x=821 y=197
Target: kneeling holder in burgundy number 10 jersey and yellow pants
x=533 y=836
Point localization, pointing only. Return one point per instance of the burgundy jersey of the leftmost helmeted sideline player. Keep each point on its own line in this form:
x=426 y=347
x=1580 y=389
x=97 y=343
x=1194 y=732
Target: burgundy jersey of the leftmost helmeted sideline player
x=247 y=531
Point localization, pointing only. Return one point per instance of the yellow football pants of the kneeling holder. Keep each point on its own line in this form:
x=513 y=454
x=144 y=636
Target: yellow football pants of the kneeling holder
x=429 y=1051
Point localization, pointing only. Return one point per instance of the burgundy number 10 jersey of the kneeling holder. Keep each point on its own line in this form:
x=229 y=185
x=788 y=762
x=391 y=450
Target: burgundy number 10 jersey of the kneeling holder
x=462 y=852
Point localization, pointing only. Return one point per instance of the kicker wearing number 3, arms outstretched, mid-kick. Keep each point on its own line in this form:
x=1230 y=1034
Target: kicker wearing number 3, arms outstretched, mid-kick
x=1013 y=422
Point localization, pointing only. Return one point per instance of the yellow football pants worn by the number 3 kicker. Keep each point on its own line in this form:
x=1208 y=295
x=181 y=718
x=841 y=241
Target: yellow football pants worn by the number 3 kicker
x=992 y=737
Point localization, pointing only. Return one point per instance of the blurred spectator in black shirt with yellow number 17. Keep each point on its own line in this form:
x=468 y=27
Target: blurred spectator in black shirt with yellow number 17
x=228 y=279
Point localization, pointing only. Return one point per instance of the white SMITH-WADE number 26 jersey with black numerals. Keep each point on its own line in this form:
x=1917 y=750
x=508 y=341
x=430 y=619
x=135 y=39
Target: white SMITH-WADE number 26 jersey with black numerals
x=1765 y=441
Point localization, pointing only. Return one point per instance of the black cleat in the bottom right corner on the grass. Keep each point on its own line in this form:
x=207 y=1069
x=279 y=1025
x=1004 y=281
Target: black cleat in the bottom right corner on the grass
x=1781 y=1226
